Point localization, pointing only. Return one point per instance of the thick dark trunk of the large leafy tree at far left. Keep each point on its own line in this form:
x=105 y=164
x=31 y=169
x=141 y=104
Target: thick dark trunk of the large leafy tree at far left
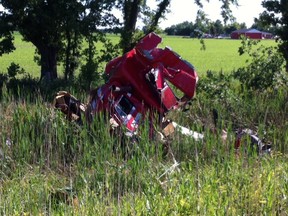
x=48 y=63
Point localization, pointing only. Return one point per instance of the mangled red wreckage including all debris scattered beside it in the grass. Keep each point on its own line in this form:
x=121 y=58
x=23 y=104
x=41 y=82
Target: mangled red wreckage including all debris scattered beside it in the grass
x=142 y=85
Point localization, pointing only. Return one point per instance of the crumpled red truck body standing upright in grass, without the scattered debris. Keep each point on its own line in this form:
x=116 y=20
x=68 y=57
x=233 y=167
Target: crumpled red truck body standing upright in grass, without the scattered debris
x=140 y=84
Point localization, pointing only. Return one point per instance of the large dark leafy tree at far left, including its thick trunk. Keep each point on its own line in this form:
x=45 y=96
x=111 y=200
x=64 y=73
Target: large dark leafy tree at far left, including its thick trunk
x=52 y=26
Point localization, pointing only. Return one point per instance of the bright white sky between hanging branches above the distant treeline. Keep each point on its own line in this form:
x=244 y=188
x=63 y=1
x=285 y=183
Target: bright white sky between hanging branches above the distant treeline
x=185 y=10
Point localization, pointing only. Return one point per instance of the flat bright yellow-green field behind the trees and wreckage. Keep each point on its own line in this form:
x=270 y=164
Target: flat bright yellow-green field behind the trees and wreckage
x=220 y=55
